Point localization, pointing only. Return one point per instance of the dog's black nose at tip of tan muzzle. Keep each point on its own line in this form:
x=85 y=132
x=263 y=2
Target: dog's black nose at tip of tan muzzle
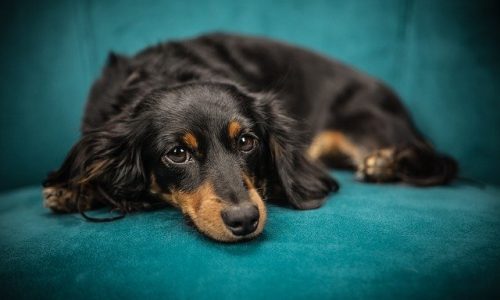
x=241 y=219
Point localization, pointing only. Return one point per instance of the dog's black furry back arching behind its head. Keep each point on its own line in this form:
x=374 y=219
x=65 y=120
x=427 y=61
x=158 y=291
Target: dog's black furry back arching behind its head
x=305 y=80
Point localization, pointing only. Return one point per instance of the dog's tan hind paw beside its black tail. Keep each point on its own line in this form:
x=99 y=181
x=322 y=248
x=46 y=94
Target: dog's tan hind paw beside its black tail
x=380 y=166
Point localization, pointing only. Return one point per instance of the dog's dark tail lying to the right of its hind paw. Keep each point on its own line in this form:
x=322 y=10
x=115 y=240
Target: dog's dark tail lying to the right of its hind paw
x=425 y=167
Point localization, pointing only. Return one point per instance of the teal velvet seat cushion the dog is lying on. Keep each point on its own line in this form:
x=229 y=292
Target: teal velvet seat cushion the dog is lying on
x=367 y=241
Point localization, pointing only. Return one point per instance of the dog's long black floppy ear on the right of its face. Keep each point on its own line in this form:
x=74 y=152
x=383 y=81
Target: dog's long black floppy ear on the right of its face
x=303 y=182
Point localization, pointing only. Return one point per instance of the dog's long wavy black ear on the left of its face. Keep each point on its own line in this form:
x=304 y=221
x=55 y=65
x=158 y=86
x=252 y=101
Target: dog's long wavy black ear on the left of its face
x=105 y=164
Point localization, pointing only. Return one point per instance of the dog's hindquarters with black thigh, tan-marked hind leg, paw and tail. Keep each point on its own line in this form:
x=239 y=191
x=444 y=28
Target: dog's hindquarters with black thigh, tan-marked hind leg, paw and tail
x=376 y=135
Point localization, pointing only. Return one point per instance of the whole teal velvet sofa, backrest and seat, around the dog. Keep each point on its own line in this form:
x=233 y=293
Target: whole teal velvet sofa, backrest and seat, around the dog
x=368 y=241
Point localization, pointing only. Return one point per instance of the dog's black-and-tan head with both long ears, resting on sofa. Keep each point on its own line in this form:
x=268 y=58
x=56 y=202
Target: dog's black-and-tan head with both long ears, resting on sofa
x=212 y=150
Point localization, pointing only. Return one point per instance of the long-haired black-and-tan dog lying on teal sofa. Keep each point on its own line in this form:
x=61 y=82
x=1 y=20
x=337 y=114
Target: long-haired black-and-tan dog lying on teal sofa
x=218 y=124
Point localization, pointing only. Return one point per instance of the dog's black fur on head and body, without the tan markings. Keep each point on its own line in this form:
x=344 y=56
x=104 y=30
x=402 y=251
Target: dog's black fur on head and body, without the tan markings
x=282 y=94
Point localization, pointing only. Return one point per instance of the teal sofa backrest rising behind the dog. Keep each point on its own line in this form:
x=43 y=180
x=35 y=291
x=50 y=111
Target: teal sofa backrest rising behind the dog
x=440 y=56
